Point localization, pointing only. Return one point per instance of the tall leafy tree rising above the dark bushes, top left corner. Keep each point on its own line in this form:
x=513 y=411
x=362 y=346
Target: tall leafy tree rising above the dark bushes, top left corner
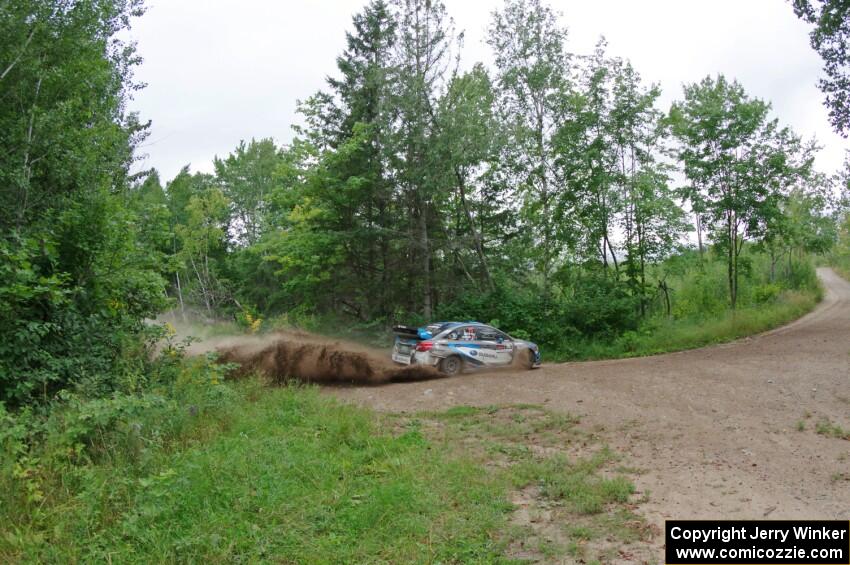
x=64 y=81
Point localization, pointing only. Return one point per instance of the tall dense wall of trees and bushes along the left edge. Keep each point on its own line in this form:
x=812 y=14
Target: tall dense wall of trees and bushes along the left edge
x=74 y=283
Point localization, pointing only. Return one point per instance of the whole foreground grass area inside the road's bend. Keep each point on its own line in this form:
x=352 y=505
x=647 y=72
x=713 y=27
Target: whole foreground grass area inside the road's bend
x=290 y=475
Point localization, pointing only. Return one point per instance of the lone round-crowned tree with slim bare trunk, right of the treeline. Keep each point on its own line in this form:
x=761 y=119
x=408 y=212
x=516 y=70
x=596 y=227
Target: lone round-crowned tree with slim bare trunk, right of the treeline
x=742 y=163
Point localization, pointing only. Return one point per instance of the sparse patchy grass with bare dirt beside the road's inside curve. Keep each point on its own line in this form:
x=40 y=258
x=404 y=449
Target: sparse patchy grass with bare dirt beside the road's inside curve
x=575 y=500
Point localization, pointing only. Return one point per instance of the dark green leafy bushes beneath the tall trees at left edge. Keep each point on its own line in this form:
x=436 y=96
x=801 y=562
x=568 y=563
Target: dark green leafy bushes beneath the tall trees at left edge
x=55 y=334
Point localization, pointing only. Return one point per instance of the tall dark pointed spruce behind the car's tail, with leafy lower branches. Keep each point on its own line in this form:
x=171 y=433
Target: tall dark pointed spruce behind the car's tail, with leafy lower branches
x=346 y=177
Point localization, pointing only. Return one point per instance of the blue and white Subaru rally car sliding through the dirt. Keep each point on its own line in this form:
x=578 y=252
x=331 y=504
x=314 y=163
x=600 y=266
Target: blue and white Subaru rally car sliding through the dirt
x=453 y=347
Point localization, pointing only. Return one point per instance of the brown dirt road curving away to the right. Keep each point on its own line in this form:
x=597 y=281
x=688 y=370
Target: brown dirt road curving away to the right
x=715 y=430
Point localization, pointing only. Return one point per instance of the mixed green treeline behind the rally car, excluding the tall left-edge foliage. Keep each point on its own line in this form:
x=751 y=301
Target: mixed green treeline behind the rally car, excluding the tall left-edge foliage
x=542 y=191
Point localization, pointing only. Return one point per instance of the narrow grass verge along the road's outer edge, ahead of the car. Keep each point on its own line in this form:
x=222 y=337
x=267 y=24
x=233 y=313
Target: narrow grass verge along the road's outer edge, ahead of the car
x=665 y=336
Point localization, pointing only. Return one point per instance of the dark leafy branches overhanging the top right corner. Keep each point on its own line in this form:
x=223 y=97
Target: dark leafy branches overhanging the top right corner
x=830 y=38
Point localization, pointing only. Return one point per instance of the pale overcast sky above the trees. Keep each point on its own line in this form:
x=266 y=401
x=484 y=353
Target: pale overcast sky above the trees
x=219 y=71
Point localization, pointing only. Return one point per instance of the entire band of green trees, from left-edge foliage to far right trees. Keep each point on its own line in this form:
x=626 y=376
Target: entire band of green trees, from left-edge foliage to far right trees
x=549 y=193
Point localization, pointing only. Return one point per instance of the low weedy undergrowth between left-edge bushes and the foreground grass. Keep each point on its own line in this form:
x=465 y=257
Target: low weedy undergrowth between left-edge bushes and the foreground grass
x=51 y=441
